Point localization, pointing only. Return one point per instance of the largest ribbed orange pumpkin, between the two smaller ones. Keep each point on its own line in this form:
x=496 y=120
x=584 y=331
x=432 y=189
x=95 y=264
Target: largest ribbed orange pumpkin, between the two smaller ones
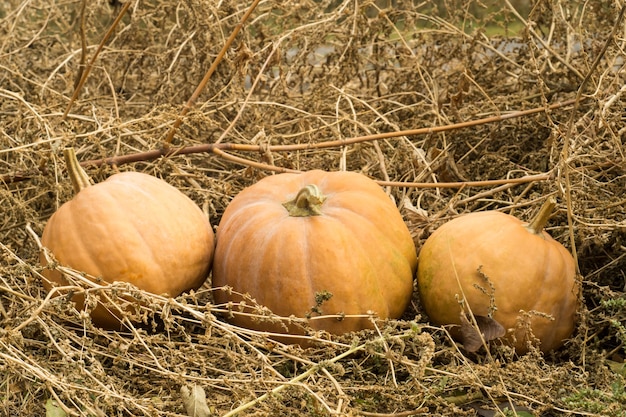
x=314 y=244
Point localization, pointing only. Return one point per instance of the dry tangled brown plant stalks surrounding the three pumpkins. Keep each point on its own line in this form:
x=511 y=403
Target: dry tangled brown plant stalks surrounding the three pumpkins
x=301 y=80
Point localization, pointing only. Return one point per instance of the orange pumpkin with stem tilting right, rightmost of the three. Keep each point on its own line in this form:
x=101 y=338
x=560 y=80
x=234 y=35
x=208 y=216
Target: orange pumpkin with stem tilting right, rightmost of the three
x=517 y=281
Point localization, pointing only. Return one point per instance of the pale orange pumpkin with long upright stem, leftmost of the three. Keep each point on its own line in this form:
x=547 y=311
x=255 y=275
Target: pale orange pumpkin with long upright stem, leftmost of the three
x=132 y=228
